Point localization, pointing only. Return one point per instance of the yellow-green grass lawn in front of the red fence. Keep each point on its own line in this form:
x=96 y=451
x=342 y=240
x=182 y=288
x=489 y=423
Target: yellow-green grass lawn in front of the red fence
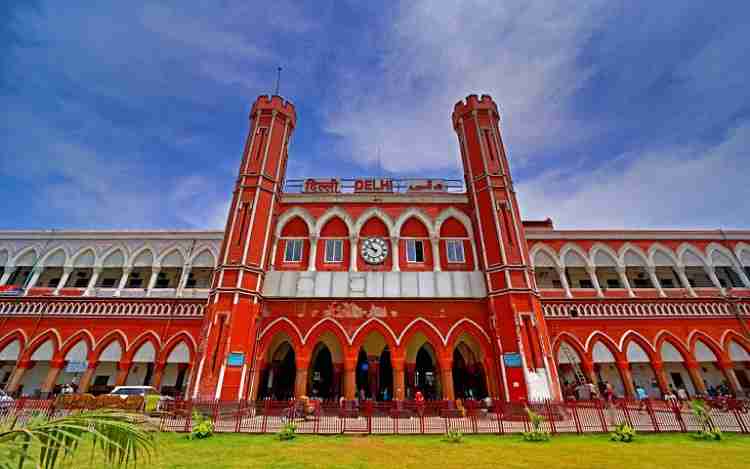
x=568 y=451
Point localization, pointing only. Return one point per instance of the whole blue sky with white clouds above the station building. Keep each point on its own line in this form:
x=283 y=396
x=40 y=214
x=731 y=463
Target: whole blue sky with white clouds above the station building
x=615 y=114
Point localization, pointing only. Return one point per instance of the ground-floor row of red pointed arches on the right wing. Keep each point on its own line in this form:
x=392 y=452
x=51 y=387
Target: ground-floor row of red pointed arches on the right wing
x=698 y=365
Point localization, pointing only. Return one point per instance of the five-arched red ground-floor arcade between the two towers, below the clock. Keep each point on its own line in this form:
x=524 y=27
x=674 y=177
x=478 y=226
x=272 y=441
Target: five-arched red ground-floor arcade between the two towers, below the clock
x=328 y=364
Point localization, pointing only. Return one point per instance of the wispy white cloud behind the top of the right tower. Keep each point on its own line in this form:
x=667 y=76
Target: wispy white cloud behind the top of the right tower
x=523 y=53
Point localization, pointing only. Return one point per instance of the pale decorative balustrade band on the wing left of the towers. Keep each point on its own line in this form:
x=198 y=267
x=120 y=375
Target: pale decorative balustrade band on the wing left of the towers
x=145 y=308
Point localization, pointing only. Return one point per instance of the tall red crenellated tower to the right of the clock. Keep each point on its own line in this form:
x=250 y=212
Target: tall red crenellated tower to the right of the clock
x=523 y=349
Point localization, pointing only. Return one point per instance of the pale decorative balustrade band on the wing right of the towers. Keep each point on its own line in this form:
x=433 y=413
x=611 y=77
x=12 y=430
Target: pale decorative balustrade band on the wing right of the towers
x=644 y=308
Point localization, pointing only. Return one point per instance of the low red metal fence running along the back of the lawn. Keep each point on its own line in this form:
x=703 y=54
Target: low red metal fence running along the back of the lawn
x=429 y=417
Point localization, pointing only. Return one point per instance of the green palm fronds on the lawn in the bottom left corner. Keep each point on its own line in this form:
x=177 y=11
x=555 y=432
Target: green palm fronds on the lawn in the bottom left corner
x=122 y=439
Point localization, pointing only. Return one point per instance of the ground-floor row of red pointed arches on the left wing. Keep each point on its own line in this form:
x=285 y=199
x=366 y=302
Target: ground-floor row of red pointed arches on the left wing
x=36 y=367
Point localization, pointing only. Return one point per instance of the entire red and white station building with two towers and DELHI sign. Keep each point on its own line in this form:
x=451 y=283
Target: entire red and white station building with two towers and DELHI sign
x=376 y=286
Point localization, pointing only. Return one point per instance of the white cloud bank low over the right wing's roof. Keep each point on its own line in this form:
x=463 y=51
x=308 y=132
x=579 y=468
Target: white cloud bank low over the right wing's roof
x=687 y=186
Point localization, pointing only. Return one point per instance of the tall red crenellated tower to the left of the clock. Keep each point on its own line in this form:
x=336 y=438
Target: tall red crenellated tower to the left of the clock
x=230 y=325
